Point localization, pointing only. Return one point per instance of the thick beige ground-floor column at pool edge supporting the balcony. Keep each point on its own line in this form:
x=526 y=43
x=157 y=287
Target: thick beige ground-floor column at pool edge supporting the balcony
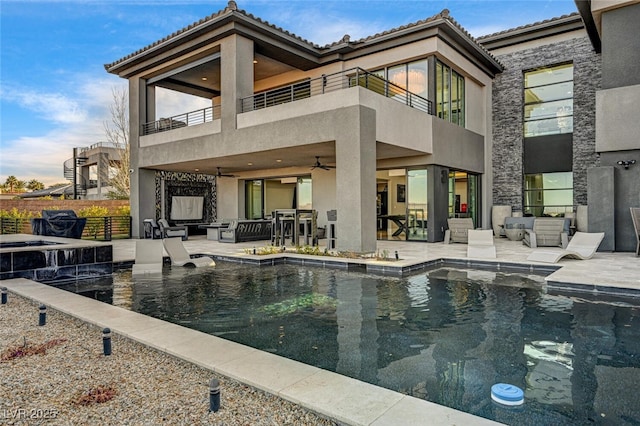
x=356 y=179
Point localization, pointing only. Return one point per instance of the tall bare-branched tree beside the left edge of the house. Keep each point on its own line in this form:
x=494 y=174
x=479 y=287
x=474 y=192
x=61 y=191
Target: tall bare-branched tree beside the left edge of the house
x=117 y=133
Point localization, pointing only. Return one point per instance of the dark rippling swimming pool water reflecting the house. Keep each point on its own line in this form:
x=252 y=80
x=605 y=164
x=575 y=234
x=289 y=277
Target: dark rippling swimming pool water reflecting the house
x=445 y=335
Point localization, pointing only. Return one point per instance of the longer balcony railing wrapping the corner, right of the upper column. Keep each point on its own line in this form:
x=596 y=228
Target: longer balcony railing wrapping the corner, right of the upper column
x=333 y=82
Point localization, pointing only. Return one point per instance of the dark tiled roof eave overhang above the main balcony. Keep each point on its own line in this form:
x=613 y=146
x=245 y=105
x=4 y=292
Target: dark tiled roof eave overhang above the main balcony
x=294 y=51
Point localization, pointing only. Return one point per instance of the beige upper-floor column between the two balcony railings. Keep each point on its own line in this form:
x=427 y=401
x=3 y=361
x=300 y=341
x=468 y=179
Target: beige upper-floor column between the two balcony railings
x=236 y=77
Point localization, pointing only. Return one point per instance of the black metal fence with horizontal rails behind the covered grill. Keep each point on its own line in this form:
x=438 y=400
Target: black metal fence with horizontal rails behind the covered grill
x=104 y=228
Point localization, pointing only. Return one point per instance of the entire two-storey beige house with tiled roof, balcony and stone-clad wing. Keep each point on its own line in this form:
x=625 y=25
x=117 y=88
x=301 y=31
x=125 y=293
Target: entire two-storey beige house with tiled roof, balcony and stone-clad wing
x=396 y=132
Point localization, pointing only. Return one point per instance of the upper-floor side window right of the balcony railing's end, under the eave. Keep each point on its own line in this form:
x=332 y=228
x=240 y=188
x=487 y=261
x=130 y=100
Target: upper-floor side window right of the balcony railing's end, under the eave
x=449 y=94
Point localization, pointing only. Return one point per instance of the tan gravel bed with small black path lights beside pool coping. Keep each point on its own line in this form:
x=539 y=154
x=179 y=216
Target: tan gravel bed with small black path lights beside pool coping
x=58 y=374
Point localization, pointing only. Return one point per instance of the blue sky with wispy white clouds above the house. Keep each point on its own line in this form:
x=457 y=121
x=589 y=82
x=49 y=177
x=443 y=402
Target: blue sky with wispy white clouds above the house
x=55 y=93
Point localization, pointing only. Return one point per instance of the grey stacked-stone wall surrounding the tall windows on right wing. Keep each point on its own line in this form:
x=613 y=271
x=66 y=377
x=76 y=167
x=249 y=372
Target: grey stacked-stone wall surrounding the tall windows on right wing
x=508 y=116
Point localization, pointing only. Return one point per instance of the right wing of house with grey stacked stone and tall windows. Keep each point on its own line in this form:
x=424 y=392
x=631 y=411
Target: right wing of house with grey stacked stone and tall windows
x=565 y=114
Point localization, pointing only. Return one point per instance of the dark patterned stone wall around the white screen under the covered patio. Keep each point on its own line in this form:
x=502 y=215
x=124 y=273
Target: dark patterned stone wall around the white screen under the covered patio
x=186 y=184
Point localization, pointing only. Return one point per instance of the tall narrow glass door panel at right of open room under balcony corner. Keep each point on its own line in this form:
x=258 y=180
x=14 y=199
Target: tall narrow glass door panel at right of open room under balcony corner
x=416 y=219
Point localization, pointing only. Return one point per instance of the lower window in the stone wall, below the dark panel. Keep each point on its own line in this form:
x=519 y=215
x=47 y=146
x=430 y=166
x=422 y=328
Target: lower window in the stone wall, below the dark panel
x=548 y=194
